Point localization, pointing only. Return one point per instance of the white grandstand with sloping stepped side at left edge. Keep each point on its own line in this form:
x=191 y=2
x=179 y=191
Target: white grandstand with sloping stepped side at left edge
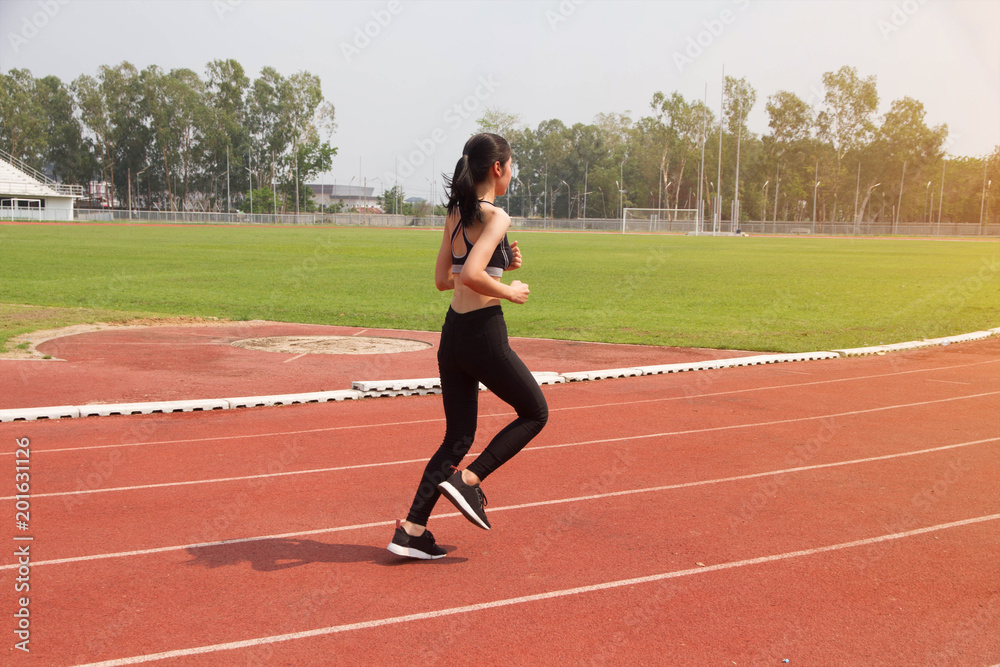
x=27 y=194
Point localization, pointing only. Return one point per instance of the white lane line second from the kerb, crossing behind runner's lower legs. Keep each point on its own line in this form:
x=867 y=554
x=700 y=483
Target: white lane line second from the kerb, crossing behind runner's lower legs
x=646 y=436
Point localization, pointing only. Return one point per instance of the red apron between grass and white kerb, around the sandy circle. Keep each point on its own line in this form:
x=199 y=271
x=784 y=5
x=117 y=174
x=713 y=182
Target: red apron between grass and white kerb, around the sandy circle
x=140 y=364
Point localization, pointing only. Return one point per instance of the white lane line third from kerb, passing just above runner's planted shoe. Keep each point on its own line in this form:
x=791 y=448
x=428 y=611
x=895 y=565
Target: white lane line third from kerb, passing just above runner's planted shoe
x=543 y=503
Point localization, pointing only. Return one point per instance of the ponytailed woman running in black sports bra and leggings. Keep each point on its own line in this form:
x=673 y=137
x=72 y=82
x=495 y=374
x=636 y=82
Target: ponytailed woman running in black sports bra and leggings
x=473 y=256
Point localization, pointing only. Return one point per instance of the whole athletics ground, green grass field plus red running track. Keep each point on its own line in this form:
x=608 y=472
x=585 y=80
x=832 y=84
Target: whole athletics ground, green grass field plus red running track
x=841 y=510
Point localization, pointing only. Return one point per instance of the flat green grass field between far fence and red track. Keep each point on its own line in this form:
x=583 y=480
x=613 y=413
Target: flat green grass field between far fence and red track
x=780 y=294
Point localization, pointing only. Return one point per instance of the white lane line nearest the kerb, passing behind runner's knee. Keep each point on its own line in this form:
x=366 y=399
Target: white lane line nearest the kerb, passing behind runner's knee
x=686 y=397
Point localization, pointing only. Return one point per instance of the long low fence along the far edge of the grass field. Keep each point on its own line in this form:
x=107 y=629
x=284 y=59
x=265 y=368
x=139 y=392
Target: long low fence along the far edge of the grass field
x=573 y=224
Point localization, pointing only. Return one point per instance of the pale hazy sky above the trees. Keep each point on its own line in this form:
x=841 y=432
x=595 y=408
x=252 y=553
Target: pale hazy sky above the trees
x=409 y=79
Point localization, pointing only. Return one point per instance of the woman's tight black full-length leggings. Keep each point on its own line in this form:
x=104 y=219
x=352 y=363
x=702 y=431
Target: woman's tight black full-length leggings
x=474 y=349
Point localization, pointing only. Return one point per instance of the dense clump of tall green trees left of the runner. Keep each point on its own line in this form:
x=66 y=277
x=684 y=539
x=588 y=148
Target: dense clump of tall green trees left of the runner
x=174 y=140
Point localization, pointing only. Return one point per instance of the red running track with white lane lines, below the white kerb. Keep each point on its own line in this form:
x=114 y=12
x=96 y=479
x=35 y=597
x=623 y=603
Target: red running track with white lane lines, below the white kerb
x=825 y=513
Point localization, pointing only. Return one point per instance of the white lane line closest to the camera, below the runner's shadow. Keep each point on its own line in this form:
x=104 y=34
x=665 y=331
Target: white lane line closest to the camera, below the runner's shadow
x=524 y=599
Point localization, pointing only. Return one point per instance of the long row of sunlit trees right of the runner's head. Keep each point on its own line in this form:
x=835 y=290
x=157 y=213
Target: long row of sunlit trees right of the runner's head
x=837 y=157
